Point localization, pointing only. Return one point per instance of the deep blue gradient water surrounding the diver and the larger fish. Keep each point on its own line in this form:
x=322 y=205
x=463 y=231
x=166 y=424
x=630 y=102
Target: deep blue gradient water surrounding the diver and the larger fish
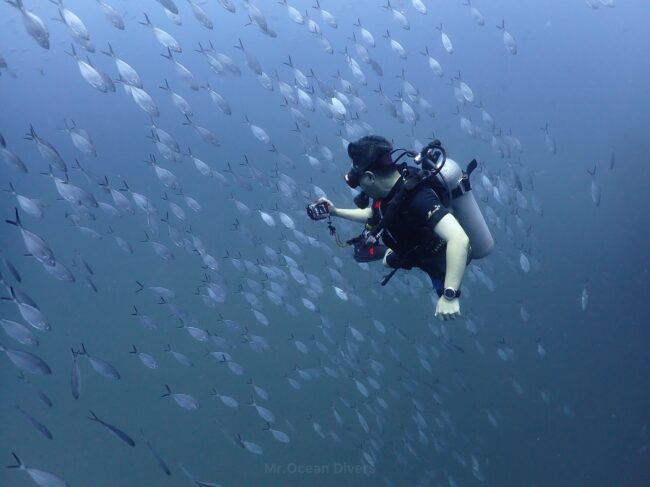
x=528 y=387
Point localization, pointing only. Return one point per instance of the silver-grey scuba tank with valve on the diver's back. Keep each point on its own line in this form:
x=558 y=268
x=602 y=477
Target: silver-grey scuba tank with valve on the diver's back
x=457 y=195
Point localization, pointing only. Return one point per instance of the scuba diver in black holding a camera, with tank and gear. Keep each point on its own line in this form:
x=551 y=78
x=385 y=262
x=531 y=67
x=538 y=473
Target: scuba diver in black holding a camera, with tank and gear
x=426 y=217
